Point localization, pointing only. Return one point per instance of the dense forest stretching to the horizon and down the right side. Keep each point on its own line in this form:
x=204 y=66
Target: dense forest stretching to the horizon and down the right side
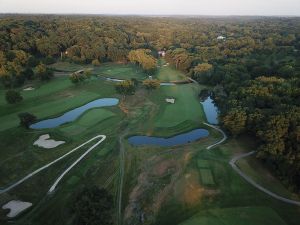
x=251 y=65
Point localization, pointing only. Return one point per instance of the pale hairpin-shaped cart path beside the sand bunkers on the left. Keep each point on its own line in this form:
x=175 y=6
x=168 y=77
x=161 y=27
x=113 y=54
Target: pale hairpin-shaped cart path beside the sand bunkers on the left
x=55 y=161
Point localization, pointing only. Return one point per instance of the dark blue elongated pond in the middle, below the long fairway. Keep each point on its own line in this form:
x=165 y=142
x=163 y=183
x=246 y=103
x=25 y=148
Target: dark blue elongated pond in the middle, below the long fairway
x=180 y=139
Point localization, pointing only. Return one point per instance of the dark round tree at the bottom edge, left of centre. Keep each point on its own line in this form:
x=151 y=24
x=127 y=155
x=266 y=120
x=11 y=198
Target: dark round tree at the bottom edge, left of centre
x=93 y=206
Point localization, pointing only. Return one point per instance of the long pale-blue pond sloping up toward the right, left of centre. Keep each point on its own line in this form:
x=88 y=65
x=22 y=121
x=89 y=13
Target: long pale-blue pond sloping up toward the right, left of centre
x=74 y=113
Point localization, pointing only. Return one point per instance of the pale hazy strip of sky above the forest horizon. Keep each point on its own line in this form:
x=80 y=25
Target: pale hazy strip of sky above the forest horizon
x=186 y=7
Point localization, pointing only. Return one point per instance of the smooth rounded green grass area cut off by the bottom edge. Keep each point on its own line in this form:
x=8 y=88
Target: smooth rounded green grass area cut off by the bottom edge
x=237 y=216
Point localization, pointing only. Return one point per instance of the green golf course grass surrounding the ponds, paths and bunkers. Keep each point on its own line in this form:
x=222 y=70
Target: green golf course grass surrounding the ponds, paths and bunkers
x=178 y=185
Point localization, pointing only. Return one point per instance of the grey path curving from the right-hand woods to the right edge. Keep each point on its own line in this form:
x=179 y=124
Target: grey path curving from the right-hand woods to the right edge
x=247 y=178
